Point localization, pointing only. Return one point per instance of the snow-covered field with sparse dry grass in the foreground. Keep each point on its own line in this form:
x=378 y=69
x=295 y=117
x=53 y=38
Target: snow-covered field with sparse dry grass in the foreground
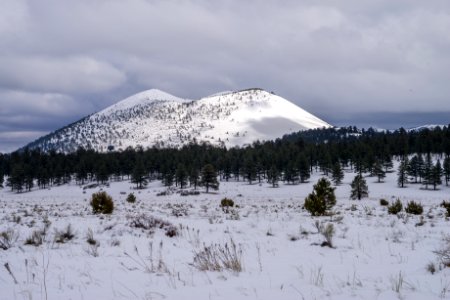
x=375 y=255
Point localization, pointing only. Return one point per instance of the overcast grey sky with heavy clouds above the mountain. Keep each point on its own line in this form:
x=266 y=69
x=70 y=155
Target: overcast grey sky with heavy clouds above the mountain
x=377 y=63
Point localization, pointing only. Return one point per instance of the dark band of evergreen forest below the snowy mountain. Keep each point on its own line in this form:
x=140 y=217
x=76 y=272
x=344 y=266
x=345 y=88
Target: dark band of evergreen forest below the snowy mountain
x=424 y=158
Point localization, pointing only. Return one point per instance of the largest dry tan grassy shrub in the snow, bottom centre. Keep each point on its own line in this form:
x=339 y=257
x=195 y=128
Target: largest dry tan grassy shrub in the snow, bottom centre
x=217 y=257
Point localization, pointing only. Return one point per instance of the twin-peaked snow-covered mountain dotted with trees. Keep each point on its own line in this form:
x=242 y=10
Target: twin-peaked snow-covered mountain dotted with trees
x=156 y=118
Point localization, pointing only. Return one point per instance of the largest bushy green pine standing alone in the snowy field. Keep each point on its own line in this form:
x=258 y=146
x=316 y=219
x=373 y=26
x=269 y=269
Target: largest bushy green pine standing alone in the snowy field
x=321 y=199
